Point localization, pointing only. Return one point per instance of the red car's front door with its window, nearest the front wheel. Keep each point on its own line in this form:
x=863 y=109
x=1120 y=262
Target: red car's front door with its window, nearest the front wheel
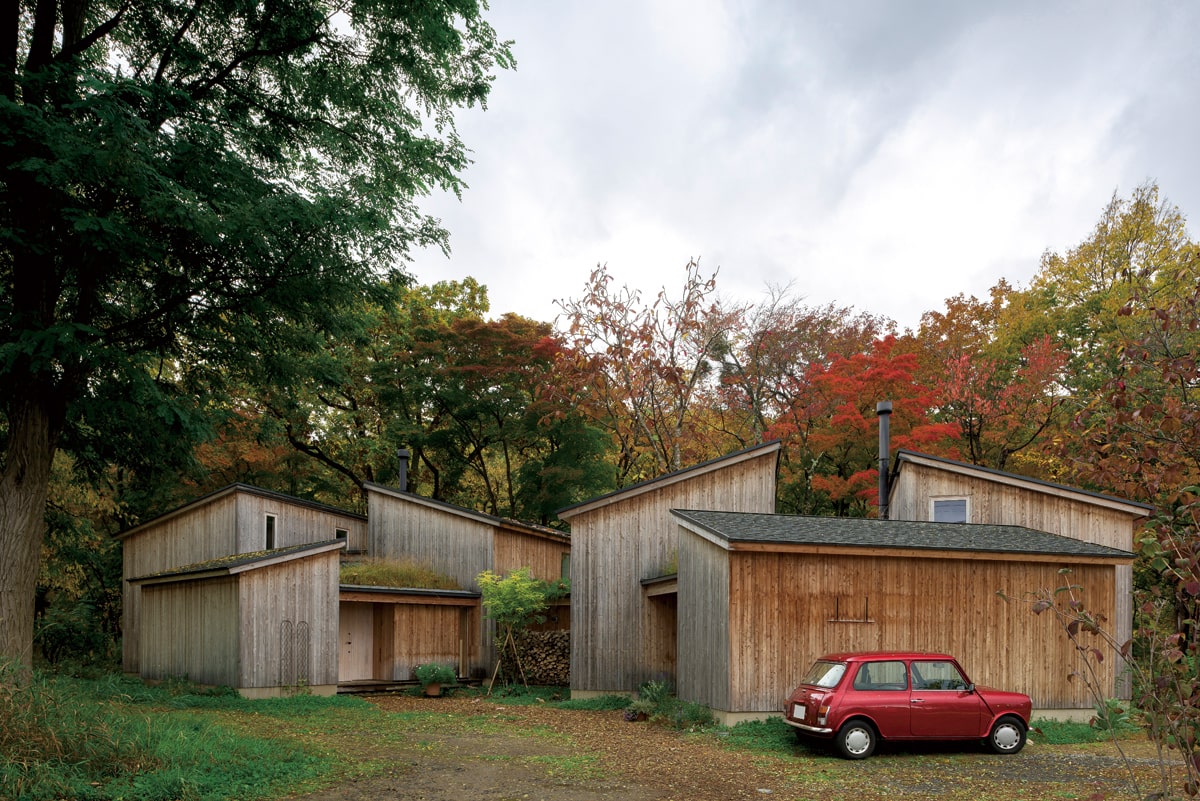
x=941 y=703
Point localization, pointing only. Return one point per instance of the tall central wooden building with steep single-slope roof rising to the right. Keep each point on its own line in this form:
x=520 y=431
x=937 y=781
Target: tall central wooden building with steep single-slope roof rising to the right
x=625 y=633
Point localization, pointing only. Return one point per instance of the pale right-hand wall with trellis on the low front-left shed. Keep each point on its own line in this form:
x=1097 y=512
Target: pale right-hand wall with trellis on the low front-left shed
x=280 y=601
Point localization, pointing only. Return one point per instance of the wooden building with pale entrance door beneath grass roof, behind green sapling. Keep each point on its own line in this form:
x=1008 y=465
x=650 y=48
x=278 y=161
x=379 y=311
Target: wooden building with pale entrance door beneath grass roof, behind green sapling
x=458 y=543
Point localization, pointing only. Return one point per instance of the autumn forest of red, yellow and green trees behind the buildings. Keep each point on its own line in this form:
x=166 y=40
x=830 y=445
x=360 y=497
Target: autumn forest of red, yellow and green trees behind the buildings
x=1088 y=377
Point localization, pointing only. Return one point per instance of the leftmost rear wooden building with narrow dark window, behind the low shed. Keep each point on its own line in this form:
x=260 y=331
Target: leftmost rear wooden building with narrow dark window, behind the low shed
x=236 y=520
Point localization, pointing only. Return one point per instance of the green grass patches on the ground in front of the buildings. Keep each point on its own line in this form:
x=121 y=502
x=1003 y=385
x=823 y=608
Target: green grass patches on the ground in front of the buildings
x=113 y=738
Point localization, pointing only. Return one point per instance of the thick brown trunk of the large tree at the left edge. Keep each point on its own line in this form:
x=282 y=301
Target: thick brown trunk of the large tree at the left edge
x=34 y=427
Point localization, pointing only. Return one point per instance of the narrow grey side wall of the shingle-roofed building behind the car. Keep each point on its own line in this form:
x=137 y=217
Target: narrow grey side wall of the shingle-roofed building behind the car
x=705 y=634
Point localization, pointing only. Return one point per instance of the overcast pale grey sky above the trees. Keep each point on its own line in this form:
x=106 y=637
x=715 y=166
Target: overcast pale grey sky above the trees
x=878 y=155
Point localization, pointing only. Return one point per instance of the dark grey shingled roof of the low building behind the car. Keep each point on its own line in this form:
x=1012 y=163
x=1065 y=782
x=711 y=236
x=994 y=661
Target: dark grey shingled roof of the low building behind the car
x=730 y=531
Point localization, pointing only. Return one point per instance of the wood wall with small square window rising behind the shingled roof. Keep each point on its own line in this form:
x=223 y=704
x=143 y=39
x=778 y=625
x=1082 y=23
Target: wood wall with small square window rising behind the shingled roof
x=1054 y=511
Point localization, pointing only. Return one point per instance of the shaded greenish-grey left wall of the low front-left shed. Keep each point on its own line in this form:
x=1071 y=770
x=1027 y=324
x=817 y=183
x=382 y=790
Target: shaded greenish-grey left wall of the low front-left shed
x=190 y=630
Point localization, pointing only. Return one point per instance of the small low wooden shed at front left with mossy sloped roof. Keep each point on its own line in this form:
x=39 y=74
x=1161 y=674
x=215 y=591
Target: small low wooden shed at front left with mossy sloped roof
x=263 y=623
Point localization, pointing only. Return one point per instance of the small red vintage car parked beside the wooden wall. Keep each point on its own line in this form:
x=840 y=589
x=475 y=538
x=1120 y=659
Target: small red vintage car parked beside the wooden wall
x=857 y=700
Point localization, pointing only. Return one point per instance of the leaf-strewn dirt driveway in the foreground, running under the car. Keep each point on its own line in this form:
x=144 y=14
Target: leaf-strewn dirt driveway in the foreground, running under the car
x=477 y=749
